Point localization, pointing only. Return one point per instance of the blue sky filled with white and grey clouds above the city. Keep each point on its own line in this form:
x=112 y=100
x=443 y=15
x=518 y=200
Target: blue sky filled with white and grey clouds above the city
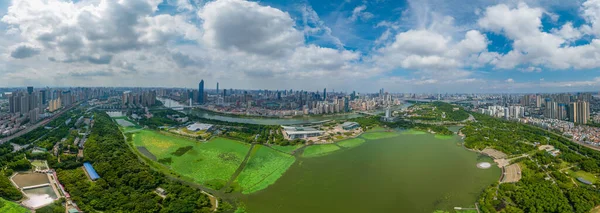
x=414 y=46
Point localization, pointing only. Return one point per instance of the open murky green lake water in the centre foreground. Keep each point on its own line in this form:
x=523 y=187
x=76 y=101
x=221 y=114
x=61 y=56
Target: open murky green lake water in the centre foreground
x=407 y=173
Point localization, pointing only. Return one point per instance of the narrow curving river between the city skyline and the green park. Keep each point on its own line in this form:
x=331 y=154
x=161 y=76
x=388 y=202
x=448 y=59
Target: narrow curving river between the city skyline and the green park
x=264 y=121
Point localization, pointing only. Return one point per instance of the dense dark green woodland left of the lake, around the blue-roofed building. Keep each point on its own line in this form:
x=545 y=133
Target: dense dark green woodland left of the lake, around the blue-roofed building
x=126 y=184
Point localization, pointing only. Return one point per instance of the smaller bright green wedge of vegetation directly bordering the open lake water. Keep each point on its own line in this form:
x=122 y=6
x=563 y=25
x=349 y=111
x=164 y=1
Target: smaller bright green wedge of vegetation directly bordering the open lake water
x=264 y=167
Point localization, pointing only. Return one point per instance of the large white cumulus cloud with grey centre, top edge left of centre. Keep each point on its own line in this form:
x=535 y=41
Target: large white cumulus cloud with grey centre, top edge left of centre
x=249 y=27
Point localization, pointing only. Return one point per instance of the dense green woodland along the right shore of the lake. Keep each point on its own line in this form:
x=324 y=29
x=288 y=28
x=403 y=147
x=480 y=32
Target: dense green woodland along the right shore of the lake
x=534 y=193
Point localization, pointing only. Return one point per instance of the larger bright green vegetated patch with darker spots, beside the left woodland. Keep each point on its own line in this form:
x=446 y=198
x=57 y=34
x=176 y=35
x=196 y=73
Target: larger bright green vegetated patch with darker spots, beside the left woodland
x=216 y=159
